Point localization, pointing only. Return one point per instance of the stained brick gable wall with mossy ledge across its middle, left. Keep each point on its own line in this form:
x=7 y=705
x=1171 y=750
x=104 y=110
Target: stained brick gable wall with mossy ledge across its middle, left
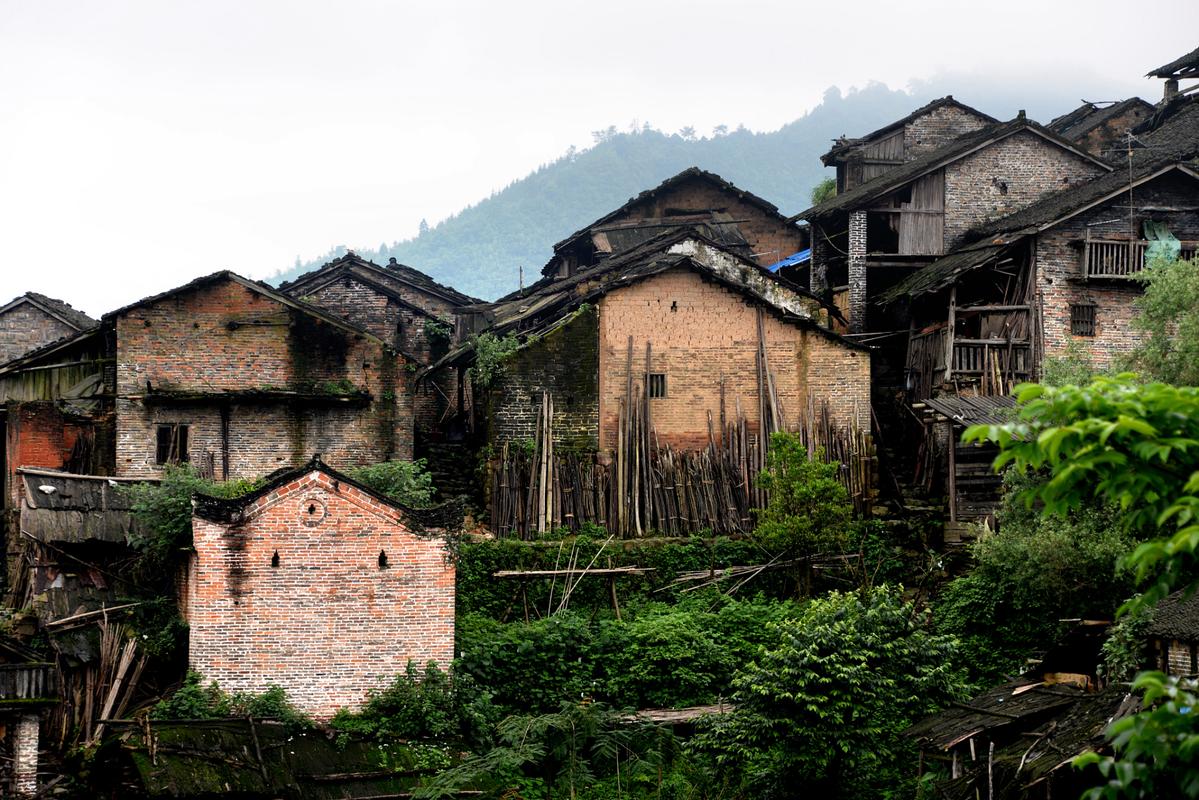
x=222 y=338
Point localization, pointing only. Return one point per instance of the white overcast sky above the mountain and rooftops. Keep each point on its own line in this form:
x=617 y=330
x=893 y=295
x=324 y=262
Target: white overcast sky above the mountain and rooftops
x=143 y=145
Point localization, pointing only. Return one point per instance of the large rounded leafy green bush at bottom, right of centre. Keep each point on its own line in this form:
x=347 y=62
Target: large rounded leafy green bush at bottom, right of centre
x=823 y=713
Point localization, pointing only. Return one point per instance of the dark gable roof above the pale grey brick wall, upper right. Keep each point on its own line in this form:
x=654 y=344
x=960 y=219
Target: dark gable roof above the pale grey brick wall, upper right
x=956 y=151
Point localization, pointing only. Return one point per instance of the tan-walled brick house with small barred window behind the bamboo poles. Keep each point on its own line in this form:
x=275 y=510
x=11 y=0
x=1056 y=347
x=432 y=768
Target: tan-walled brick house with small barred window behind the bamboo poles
x=697 y=306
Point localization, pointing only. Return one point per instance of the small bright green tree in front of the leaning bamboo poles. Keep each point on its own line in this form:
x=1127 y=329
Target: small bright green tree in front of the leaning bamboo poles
x=809 y=512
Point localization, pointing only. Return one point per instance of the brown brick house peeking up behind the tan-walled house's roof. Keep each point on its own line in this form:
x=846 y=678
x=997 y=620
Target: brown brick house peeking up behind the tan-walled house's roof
x=739 y=220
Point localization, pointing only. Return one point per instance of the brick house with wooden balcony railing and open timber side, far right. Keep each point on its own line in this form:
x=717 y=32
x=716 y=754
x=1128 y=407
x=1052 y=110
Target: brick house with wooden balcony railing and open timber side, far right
x=1056 y=278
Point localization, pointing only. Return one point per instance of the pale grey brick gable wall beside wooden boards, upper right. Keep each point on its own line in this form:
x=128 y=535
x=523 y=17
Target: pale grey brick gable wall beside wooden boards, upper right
x=1005 y=178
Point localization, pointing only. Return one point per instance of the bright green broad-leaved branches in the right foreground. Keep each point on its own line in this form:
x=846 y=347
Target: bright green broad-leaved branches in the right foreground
x=1138 y=448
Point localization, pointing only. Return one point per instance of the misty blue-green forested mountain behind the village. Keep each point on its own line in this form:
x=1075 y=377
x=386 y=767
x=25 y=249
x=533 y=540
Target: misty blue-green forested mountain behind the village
x=481 y=249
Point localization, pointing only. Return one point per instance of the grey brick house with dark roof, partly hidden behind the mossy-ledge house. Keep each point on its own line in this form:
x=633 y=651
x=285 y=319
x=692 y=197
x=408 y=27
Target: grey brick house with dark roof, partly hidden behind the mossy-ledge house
x=402 y=306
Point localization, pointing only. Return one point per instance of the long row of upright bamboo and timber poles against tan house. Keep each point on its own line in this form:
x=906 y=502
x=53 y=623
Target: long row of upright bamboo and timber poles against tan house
x=649 y=489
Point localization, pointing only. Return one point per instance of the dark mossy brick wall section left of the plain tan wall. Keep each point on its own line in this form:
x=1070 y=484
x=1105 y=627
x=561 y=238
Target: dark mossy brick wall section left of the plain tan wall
x=564 y=364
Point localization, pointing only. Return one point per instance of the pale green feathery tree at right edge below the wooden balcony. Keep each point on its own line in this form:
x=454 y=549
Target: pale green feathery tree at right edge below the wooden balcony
x=1170 y=316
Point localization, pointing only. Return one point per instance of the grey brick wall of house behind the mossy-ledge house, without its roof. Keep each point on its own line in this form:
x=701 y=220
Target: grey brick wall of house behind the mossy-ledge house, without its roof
x=403 y=327
